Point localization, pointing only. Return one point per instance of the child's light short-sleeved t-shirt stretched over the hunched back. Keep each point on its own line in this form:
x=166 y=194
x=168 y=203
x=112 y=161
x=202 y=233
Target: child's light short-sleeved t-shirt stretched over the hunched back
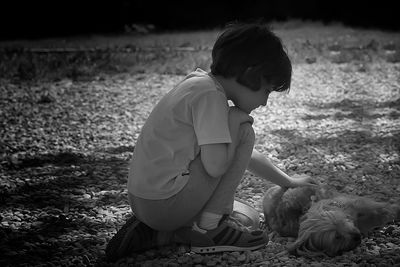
x=192 y=114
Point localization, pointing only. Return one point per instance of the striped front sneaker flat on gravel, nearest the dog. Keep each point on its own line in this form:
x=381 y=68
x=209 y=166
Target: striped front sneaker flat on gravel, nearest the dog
x=230 y=235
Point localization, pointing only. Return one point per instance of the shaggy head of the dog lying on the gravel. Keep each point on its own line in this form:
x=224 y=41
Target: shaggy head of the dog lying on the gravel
x=325 y=231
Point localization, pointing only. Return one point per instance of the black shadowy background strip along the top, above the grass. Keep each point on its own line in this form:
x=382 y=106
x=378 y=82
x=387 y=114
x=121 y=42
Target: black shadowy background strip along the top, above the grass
x=38 y=19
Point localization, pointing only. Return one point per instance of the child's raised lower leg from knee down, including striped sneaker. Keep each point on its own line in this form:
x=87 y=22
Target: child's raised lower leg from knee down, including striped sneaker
x=214 y=232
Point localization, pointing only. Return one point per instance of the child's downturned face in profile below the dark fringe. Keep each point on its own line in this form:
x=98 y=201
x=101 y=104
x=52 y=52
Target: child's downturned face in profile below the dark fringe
x=250 y=100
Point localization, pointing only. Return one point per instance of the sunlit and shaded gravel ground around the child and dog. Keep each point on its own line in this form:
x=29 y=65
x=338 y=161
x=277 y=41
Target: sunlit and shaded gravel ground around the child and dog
x=65 y=145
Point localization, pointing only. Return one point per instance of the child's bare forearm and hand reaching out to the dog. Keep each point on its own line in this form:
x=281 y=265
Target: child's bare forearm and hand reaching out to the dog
x=262 y=167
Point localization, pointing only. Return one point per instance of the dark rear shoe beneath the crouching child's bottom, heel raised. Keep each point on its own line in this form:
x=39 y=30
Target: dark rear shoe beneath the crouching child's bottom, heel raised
x=134 y=236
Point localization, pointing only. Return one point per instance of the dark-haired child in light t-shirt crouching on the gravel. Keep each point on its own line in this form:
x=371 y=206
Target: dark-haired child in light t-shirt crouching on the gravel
x=194 y=149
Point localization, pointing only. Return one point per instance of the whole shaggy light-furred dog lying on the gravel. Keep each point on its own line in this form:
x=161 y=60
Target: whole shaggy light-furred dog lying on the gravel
x=324 y=222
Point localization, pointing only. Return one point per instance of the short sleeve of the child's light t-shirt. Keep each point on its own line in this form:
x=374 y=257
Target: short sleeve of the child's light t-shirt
x=210 y=118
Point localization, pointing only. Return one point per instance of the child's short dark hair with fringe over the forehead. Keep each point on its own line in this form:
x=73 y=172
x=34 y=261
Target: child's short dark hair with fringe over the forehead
x=250 y=52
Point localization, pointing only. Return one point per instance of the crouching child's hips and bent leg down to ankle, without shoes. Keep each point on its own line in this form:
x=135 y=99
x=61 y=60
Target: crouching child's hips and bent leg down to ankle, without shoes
x=203 y=193
